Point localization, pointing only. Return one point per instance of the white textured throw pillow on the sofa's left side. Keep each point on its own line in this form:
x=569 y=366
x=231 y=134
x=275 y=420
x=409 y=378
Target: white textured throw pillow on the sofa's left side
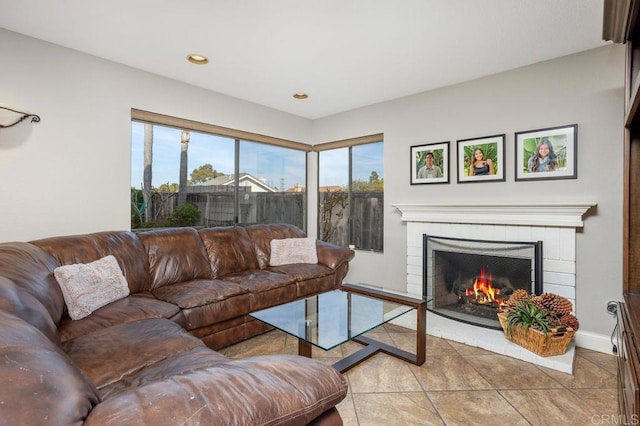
x=87 y=287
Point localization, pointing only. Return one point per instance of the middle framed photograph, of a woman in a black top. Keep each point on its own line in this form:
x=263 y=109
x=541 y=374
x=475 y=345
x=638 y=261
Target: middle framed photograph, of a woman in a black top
x=481 y=159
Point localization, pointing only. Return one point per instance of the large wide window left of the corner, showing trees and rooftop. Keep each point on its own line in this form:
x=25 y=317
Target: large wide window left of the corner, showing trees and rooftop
x=193 y=174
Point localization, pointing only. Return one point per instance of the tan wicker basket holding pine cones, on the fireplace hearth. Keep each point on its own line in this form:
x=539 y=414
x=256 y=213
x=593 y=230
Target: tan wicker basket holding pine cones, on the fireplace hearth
x=552 y=343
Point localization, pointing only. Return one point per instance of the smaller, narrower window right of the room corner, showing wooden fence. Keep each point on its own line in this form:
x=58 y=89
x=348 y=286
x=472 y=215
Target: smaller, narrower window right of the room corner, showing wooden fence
x=351 y=192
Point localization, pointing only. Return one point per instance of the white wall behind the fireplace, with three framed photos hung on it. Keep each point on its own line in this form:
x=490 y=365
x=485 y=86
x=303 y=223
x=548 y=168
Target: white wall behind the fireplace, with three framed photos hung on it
x=585 y=88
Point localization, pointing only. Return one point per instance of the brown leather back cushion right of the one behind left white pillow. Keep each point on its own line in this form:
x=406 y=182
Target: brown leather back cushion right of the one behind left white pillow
x=175 y=255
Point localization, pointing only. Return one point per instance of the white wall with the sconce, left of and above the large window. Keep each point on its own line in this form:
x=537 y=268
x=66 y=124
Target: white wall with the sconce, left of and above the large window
x=70 y=173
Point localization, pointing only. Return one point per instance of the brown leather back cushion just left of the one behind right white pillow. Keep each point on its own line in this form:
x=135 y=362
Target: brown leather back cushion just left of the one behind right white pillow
x=229 y=249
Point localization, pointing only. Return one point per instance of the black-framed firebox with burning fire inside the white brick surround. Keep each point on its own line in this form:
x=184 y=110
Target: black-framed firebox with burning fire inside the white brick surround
x=468 y=280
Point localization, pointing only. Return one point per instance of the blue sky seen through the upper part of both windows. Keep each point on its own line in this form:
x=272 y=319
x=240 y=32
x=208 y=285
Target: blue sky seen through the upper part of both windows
x=282 y=168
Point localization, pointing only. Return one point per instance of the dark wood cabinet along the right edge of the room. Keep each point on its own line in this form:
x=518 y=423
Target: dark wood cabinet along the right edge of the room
x=620 y=25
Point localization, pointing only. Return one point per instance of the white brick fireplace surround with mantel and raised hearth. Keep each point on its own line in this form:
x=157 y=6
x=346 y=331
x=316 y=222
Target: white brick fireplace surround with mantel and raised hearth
x=554 y=223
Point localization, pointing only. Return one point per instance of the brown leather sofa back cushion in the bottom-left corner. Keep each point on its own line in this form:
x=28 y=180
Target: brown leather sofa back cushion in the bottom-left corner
x=40 y=384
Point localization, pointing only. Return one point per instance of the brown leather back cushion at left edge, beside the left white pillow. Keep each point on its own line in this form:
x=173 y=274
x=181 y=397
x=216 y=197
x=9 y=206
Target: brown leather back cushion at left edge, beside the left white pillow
x=30 y=270
